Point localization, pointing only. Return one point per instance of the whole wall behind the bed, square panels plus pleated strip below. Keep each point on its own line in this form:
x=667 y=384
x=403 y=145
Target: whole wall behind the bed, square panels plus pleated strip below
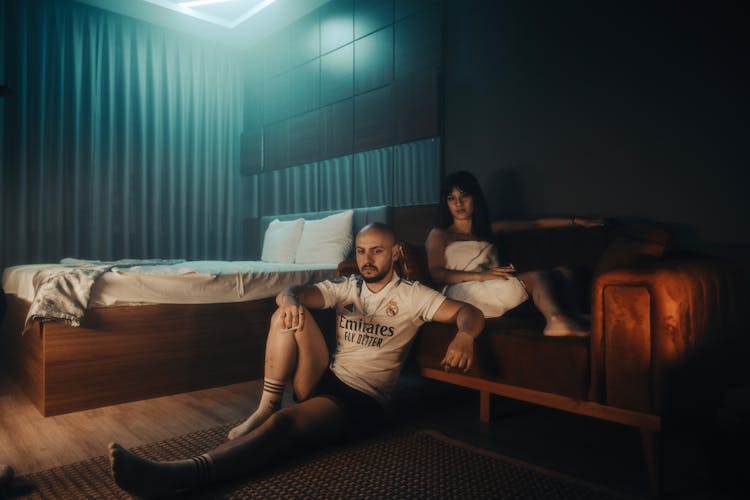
x=342 y=110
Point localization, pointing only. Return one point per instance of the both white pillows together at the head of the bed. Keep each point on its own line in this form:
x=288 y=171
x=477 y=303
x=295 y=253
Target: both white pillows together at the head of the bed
x=321 y=241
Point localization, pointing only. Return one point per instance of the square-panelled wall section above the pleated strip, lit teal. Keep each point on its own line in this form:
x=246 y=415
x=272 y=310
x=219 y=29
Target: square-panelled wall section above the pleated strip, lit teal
x=354 y=75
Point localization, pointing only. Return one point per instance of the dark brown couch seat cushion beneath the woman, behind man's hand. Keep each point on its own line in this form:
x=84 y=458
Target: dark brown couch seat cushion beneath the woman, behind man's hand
x=512 y=350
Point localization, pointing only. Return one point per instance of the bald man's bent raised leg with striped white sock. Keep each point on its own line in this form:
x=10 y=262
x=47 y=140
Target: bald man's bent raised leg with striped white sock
x=300 y=356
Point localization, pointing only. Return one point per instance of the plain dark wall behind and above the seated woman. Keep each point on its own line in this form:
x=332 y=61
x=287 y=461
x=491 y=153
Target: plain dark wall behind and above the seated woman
x=603 y=108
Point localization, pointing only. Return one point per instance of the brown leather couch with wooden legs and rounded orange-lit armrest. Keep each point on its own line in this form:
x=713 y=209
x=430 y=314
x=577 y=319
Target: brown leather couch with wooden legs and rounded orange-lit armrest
x=651 y=309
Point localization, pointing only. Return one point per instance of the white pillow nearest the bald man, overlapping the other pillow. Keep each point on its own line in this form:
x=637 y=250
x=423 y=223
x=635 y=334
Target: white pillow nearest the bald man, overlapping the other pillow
x=327 y=240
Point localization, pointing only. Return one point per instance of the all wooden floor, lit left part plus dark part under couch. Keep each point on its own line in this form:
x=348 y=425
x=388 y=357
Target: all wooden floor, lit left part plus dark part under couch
x=592 y=450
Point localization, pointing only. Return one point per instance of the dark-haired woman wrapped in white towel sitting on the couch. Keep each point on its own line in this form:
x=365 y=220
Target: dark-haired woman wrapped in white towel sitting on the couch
x=461 y=256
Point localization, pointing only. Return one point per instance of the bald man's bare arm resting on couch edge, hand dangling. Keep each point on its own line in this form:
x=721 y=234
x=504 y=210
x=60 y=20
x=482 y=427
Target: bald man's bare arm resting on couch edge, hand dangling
x=470 y=323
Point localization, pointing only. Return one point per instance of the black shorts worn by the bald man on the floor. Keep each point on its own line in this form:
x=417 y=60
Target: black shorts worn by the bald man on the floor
x=358 y=407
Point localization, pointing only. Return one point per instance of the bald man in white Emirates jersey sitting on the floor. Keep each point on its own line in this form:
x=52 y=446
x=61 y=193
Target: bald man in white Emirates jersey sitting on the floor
x=377 y=317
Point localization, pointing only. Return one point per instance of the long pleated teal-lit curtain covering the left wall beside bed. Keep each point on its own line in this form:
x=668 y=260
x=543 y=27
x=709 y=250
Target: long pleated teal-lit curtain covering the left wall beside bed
x=122 y=140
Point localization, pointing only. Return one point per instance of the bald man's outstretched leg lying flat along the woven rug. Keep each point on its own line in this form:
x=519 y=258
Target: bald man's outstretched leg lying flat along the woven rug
x=313 y=422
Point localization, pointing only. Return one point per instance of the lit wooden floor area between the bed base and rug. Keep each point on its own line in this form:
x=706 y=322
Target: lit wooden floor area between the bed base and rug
x=30 y=442
